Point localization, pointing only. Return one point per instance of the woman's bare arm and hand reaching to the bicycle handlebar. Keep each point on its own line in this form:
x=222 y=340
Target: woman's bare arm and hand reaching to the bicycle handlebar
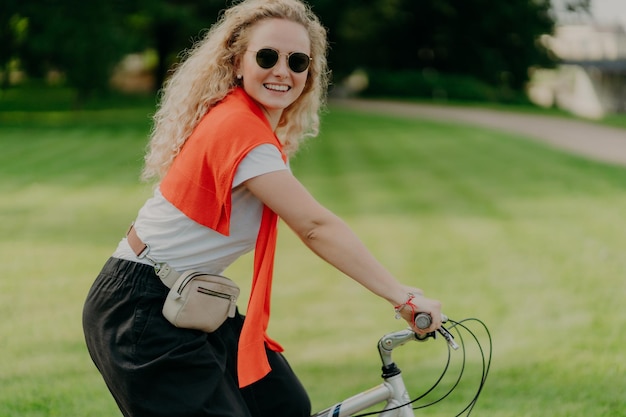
x=331 y=238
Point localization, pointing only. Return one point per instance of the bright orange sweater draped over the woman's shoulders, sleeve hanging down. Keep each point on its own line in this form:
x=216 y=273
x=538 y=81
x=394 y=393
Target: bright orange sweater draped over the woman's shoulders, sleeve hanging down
x=199 y=183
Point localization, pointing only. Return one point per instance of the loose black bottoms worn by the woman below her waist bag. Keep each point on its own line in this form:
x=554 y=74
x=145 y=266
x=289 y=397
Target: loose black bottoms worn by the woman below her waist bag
x=153 y=368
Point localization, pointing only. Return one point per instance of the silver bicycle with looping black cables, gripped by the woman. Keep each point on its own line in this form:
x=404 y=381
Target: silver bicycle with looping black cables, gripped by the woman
x=392 y=391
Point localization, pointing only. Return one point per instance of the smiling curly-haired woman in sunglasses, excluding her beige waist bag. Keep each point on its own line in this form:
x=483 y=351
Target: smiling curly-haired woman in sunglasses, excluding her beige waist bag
x=229 y=118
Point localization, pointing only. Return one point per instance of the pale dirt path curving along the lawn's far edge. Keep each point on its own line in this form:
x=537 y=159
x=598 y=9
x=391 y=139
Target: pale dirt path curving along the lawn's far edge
x=596 y=142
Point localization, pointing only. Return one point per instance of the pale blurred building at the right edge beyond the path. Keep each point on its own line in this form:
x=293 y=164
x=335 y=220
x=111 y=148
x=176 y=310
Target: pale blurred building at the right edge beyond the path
x=590 y=80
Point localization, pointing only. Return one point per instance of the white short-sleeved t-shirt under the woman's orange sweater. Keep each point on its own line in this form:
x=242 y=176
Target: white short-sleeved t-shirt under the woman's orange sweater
x=184 y=244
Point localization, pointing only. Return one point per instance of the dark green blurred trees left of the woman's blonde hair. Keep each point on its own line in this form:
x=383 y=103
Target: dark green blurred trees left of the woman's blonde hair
x=84 y=41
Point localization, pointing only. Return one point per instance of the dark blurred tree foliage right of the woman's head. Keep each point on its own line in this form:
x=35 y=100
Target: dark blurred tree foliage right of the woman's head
x=495 y=42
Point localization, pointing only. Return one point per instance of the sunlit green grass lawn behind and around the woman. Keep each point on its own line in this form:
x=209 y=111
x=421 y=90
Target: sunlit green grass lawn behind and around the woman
x=528 y=239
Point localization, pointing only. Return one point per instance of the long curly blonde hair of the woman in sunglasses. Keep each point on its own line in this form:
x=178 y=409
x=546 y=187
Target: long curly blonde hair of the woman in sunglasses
x=208 y=73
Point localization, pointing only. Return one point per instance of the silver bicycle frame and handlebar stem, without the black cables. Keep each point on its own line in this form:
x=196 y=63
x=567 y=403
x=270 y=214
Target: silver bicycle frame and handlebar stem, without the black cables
x=392 y=390
